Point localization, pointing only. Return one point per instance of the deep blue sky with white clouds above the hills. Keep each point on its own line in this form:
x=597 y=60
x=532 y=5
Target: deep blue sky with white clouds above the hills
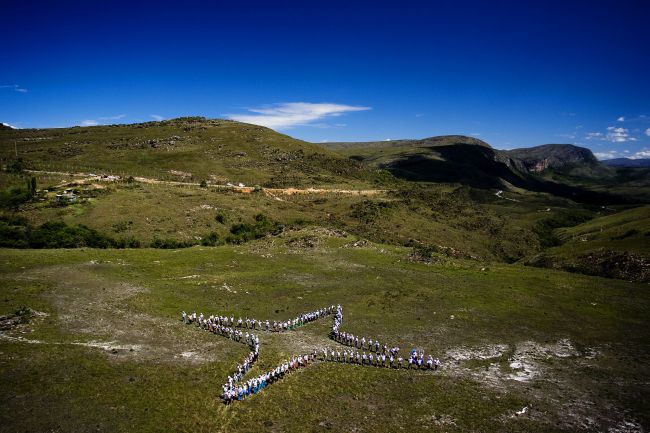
x=511 y=73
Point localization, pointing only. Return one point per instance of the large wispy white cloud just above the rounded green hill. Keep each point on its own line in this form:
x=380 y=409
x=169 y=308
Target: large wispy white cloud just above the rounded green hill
x=290 y=114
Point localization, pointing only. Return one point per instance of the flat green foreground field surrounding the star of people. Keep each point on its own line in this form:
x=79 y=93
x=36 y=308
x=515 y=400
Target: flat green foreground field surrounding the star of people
x=104 y=349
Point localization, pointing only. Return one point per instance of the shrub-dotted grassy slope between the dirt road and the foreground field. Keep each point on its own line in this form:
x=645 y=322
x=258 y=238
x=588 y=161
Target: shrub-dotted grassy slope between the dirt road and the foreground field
x=459 y=221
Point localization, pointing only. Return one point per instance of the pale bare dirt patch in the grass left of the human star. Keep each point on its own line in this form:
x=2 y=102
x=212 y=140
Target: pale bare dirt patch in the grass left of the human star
x=96 y=313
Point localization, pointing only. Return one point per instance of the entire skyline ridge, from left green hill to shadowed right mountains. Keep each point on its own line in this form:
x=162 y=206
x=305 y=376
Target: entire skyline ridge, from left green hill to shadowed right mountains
x=228 y=151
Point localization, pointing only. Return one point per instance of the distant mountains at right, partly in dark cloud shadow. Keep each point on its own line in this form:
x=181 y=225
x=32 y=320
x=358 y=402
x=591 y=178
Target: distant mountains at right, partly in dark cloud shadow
x=561 y=169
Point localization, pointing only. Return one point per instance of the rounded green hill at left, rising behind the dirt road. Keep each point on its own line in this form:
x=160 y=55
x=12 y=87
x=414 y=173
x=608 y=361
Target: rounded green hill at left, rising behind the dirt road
x=183 y=149
